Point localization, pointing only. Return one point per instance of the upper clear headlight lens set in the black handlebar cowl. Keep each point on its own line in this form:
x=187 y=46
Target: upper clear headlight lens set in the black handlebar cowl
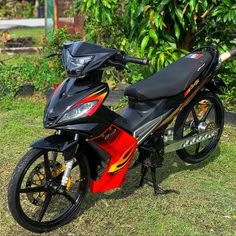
x=75 y=64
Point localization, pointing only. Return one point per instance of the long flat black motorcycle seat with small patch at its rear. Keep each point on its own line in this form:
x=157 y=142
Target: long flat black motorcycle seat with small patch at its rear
x=171 y=80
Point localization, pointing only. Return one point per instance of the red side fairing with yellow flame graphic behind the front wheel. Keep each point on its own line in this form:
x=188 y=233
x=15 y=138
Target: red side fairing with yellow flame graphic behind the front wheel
x=120 y=146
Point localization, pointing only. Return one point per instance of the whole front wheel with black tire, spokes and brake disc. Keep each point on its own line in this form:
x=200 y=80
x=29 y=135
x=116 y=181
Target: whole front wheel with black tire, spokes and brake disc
x=33 y=197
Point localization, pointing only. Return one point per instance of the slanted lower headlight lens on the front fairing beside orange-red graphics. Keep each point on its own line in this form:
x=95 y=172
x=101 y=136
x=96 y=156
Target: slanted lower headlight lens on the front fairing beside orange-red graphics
x=78 y=112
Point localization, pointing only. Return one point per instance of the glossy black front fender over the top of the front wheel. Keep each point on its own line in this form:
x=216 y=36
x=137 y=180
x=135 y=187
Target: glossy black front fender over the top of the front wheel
x=58 y=143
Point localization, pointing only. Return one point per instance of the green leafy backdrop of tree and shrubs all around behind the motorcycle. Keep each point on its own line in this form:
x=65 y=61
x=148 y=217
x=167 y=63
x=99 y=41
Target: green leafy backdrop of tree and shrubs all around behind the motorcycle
x=162 y=30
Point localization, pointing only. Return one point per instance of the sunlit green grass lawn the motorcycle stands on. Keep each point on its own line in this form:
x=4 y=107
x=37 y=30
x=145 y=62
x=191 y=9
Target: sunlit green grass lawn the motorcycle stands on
x=206 y=204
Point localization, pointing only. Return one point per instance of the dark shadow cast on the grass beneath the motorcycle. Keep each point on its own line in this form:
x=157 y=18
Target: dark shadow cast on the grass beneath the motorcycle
x=172 y=165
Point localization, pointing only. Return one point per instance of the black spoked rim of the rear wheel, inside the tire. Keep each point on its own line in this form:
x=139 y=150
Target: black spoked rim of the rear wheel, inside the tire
x=203 y=117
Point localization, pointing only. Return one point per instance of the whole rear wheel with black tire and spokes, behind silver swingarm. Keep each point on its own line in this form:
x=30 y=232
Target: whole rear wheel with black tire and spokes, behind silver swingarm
x=207 y=111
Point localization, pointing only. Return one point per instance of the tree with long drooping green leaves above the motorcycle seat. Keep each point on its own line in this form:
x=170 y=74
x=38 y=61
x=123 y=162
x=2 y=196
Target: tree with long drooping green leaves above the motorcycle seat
x=163 y=29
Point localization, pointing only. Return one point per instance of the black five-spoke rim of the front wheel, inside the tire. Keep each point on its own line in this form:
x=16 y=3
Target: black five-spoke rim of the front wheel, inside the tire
x=54 y=207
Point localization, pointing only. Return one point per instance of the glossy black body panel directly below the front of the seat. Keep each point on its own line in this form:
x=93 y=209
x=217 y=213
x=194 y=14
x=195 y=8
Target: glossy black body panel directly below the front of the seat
x=139 y=113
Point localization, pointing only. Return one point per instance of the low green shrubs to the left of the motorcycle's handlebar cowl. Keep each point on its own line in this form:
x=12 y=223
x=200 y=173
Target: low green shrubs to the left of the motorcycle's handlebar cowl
x=38 y=71
